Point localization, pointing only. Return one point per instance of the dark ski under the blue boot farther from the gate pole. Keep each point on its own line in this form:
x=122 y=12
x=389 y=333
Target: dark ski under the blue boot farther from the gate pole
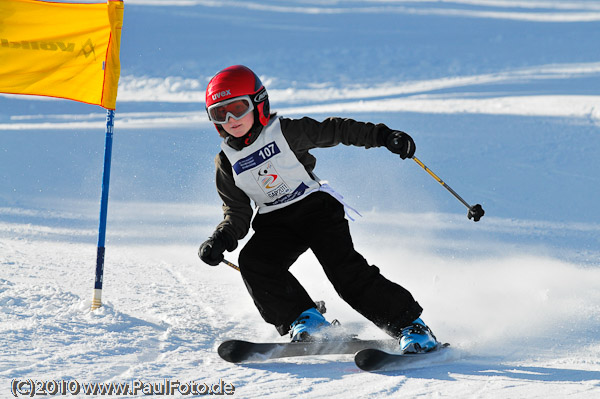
x=376 y=359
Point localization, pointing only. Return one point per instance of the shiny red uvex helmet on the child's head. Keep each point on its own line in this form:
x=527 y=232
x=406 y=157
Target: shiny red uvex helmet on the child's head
x=235 y=81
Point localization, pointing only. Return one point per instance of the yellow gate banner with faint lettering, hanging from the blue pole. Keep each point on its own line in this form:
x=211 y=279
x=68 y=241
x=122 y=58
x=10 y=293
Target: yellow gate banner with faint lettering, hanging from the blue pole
x=63 y=50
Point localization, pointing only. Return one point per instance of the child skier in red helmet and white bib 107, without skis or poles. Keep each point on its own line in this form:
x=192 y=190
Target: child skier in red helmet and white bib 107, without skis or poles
x=266 y=159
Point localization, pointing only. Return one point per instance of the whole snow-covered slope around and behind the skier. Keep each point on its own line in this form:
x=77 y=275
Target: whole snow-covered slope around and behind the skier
x=503 y=100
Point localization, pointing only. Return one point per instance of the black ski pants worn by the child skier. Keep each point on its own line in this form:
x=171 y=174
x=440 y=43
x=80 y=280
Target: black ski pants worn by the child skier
x=317 y=222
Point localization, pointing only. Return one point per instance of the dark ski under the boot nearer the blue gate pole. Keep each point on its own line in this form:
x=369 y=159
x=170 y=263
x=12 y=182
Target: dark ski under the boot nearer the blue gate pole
x=237 y=351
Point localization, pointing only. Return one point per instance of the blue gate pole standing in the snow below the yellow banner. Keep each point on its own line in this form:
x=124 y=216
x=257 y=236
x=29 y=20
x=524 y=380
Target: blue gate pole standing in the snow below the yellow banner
x=110 y=123
